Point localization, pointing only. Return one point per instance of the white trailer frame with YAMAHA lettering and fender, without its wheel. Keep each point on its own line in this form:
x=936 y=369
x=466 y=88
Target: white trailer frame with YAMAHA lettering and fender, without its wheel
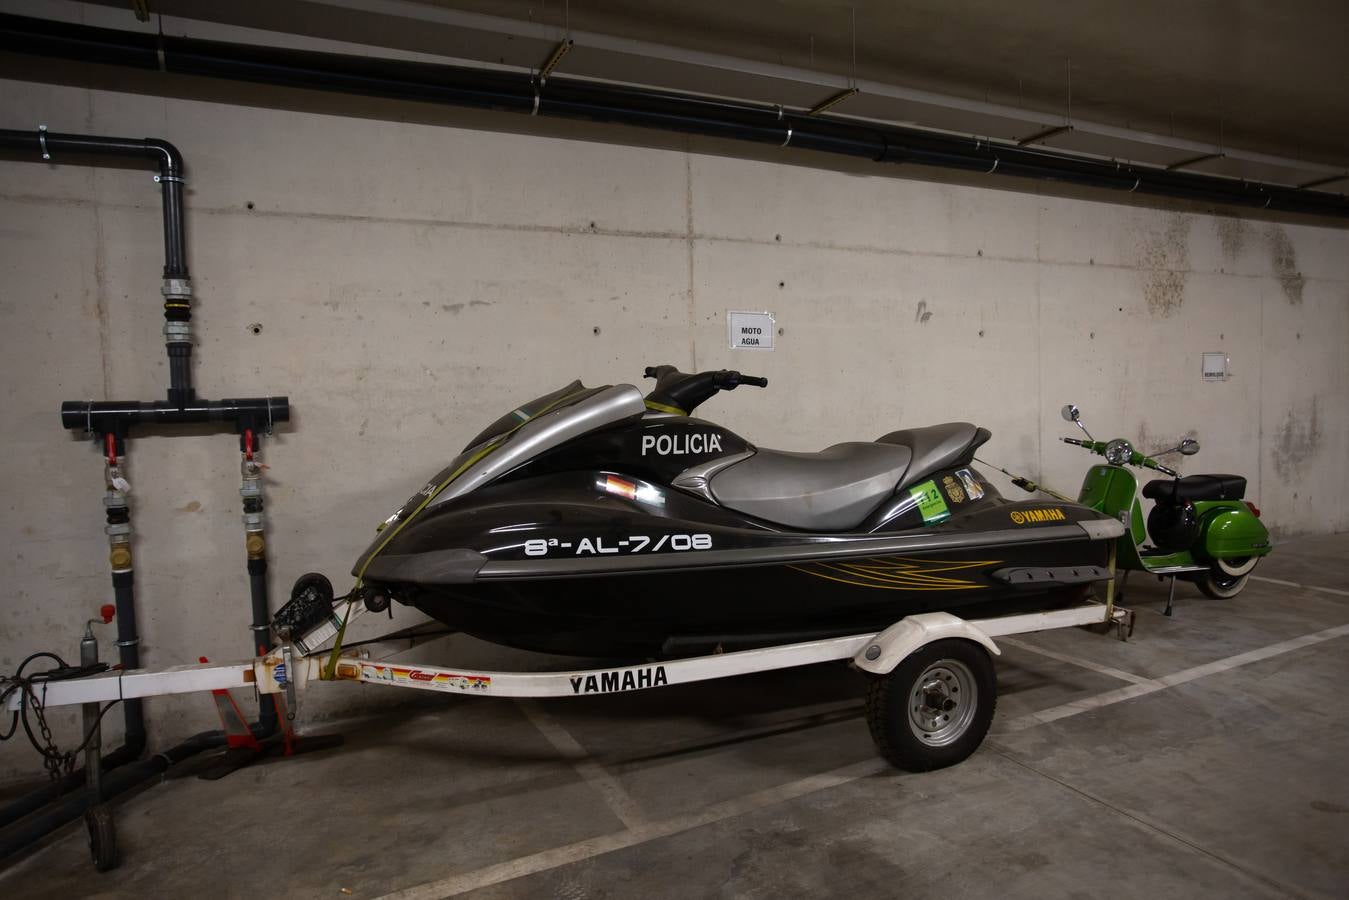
x=288 y=670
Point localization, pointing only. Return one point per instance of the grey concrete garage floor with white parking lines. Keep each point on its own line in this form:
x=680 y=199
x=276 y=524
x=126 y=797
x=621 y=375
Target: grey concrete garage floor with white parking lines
x=1205 y=758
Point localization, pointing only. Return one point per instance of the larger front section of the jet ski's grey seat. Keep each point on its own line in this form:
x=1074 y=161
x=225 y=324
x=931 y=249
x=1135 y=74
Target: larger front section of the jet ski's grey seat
x=829 y=492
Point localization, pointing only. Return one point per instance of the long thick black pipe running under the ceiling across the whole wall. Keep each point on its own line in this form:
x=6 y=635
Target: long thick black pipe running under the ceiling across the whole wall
x=573 y=99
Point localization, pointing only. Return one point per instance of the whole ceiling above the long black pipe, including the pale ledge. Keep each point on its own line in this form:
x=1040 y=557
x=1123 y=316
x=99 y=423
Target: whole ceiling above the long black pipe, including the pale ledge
x=1244 y=88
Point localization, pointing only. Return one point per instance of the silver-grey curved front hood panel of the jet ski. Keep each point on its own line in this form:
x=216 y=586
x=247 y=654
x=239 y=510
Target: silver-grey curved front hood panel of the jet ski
x=516 y=439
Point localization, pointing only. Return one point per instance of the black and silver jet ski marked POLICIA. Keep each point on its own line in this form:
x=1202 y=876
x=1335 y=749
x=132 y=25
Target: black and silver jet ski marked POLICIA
x=594 y=522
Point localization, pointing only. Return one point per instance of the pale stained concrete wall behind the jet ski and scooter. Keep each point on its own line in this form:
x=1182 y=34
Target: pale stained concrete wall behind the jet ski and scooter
x=415 y=281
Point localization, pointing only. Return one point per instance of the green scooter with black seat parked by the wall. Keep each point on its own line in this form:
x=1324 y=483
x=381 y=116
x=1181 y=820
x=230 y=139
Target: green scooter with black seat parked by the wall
x=1203 y=531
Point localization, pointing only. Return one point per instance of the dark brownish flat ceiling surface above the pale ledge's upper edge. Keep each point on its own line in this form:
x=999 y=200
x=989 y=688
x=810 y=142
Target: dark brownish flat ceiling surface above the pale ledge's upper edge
x=1265 y=75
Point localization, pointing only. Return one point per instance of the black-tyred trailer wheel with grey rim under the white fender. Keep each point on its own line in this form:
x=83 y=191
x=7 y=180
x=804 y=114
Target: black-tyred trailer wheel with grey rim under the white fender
x=936 y=708
